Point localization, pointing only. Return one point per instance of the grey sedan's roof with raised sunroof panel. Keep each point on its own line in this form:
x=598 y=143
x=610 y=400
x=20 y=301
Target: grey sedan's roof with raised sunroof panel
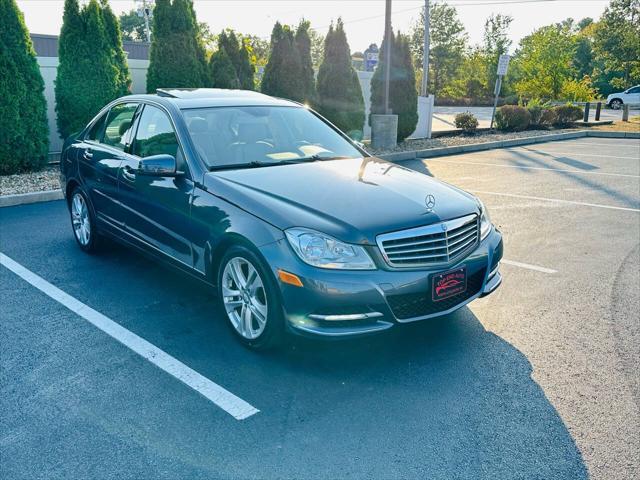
x=185 y=98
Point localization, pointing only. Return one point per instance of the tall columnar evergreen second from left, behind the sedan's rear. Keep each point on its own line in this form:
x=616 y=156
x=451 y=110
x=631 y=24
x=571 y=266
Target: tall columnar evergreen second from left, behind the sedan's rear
x=87 y=78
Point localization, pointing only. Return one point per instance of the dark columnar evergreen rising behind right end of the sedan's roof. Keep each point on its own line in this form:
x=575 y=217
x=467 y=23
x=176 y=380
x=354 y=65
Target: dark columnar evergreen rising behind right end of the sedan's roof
x=283 y=72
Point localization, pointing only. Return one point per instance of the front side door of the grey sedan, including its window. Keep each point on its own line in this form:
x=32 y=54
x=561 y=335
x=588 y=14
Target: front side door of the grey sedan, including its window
x=157 y=208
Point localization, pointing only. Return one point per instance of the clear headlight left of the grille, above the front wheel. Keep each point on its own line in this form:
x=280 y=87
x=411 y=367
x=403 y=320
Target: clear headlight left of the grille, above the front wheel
x=321 y=250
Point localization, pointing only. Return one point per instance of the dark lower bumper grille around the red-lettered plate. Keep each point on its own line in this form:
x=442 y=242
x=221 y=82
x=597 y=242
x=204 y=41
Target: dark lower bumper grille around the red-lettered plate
x=412 y=305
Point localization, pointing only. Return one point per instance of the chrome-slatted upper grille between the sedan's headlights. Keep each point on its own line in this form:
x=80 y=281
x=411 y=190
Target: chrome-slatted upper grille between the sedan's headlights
x=441 y=243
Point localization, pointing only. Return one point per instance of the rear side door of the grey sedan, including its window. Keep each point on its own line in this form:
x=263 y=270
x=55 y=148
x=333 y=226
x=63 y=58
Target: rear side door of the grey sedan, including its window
x=100 y=155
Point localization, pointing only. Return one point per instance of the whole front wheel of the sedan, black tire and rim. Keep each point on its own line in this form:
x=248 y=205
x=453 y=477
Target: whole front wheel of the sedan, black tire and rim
x=249 y=299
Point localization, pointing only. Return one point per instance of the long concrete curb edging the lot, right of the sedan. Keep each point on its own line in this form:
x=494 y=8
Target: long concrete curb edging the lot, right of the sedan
x=476 y=147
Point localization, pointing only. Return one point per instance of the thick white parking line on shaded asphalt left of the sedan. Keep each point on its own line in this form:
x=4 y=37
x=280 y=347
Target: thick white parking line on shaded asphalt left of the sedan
x=224 y=399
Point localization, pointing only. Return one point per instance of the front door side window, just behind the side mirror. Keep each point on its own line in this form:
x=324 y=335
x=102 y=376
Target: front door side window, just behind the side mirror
x=155 y=134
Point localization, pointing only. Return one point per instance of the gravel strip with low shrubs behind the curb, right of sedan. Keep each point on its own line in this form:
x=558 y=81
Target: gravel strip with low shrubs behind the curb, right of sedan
x=423 y=144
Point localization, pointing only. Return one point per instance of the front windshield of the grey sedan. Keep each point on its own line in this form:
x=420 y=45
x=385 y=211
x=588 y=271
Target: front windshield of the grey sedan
x=238 y=136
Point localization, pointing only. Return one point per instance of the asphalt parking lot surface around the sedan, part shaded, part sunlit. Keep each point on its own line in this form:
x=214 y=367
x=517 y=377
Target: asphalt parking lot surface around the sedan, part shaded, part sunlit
x=538 y=380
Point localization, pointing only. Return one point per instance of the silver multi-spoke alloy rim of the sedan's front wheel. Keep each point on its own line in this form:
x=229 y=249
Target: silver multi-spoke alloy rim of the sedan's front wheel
x=244 y=297
